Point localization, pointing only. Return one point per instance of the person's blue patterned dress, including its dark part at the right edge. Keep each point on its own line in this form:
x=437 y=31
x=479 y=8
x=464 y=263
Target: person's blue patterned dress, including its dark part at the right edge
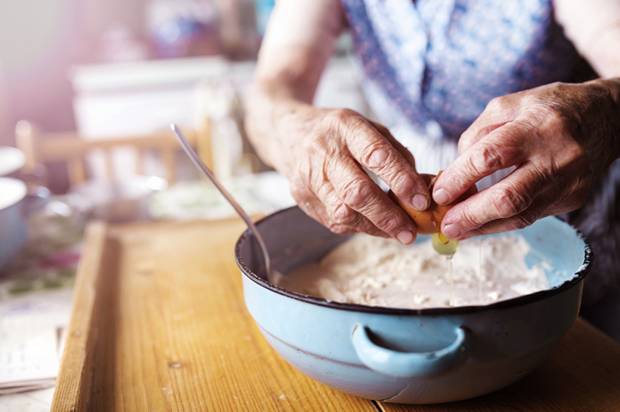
x=435 y=64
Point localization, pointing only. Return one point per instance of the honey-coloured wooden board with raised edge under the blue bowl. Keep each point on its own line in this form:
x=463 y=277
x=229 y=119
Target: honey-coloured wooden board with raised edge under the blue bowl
x=159 y=323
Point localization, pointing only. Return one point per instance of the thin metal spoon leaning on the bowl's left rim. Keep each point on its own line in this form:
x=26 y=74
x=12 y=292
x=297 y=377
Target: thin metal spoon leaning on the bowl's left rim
x=191 y=153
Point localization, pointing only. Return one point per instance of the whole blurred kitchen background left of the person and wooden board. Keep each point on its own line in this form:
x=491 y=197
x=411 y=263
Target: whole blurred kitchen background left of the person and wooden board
x=88 y=89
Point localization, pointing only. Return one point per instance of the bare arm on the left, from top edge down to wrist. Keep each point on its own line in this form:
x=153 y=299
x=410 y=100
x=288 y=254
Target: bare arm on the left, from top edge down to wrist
x=296 y=48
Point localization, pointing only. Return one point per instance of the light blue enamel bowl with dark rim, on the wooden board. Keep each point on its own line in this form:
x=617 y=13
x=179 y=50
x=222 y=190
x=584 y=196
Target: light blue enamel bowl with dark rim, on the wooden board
x=410 y=356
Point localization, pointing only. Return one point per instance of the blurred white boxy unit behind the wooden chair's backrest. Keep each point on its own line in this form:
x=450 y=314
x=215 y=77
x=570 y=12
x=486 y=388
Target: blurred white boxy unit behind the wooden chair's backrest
x=120 y=99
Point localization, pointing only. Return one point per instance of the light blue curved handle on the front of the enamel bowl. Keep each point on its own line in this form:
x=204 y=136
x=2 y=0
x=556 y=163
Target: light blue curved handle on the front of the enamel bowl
x=408 y=364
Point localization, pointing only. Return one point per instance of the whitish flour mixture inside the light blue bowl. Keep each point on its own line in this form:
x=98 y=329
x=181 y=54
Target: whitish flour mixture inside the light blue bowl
x=381 y=272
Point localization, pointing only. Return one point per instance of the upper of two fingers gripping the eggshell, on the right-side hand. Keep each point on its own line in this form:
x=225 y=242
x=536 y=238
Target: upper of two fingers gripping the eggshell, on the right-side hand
x=504 y=147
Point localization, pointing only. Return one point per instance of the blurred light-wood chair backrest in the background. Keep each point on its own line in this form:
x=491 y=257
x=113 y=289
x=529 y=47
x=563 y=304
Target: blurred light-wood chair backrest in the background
x=40 y=149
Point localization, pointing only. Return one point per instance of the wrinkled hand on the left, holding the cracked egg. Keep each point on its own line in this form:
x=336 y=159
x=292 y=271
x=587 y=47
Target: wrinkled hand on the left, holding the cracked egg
x=323 y=152
